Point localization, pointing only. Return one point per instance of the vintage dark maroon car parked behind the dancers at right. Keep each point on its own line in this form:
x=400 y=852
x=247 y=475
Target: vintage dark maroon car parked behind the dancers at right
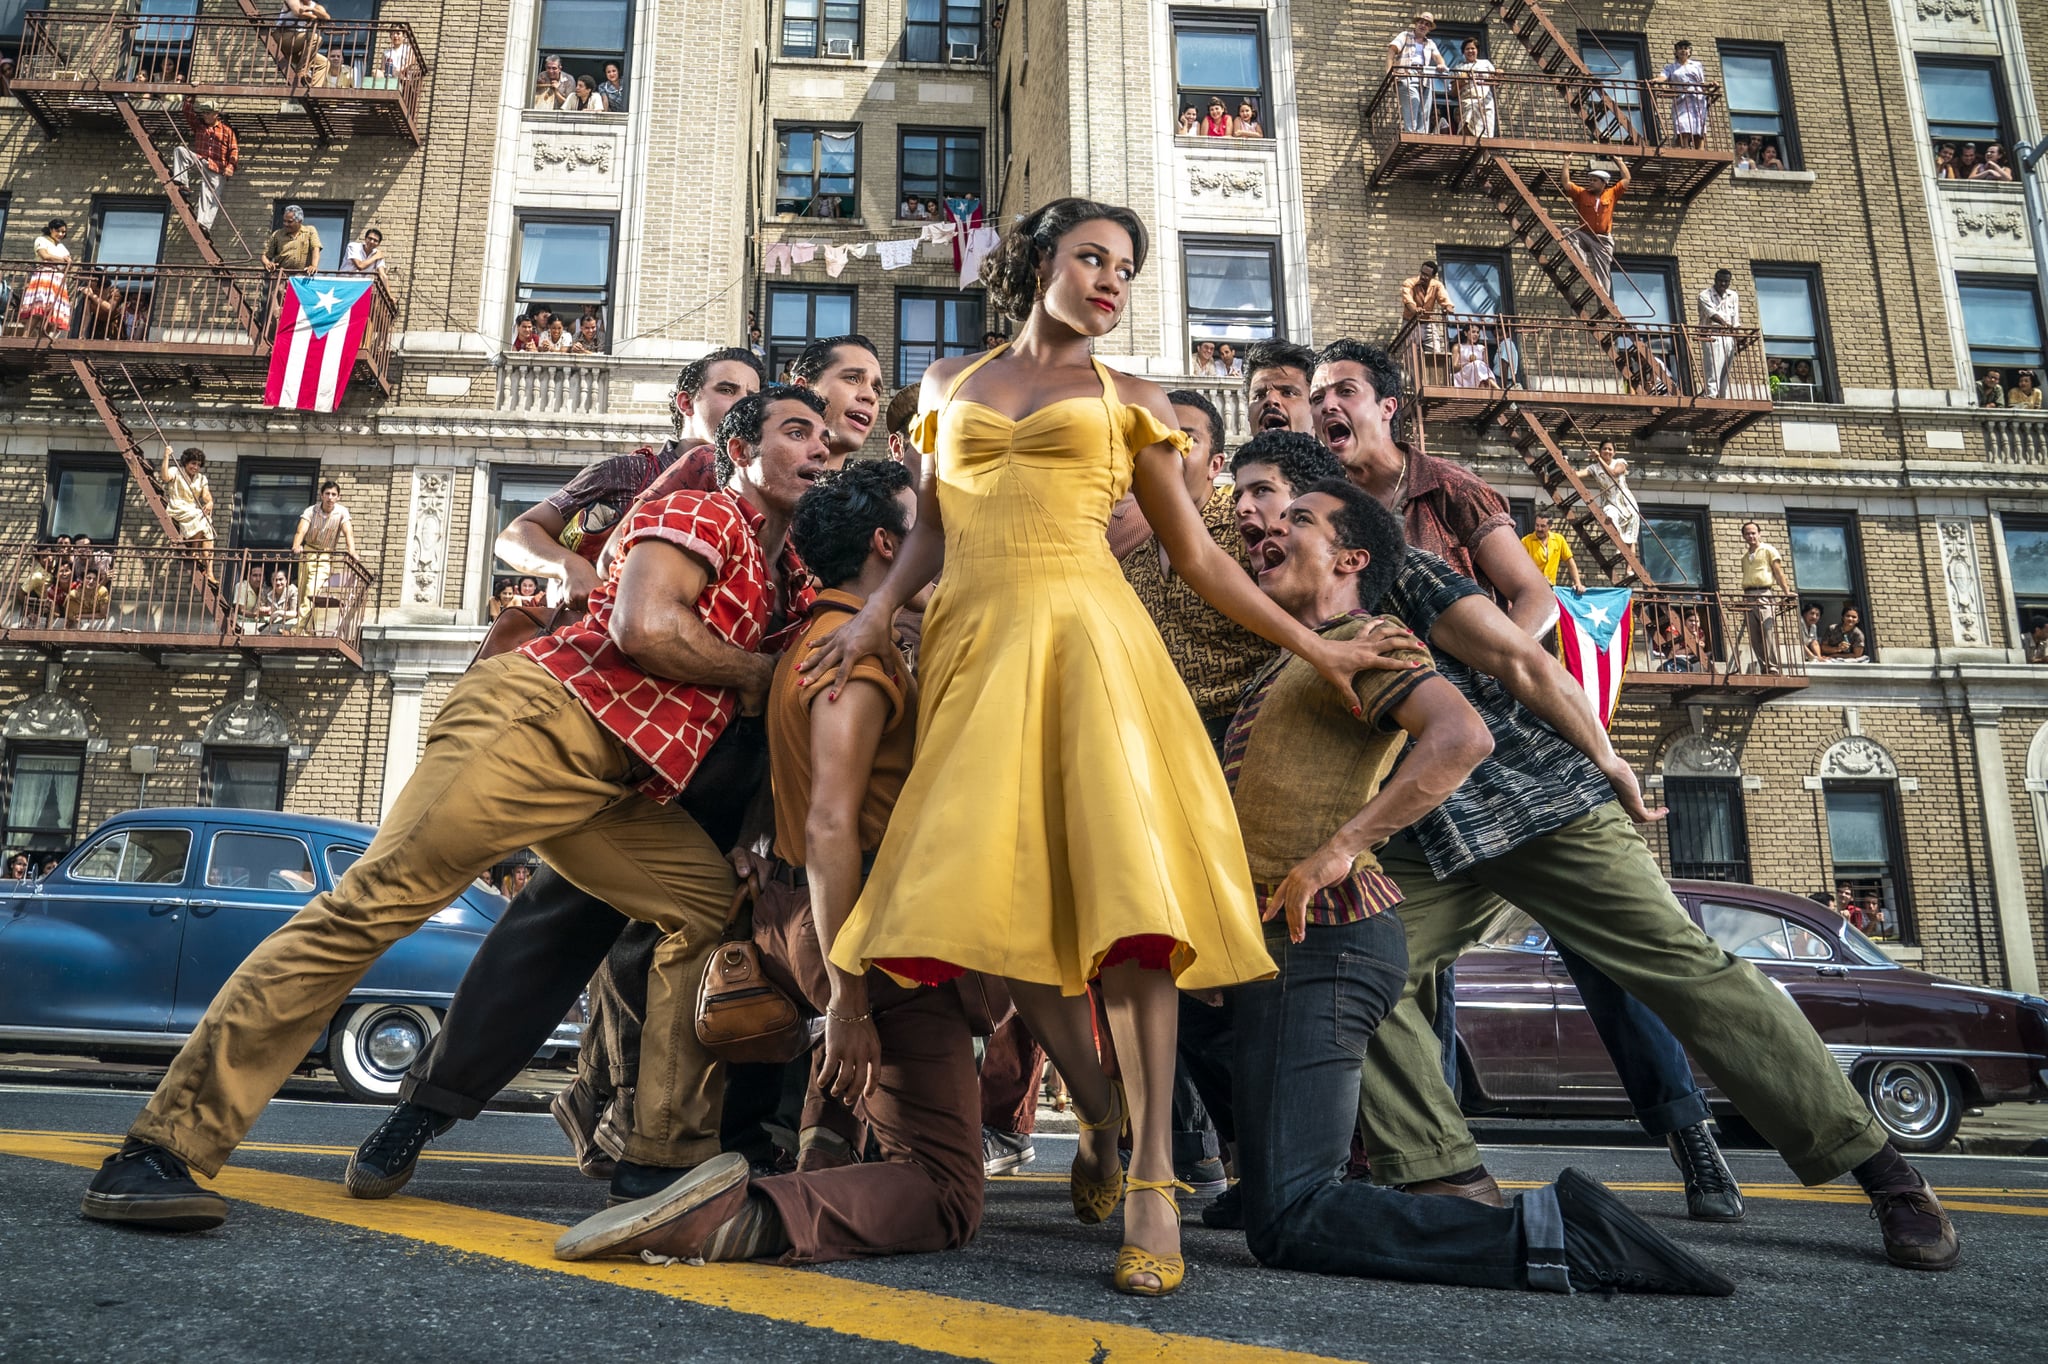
x=1920 y=1048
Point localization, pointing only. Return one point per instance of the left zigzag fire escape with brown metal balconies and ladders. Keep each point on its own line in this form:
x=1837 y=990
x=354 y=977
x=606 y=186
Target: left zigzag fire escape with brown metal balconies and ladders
x=208 y=323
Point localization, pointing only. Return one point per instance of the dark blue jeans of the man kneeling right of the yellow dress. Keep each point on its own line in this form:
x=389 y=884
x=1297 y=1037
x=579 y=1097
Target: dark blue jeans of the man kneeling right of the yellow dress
x=1302 y=1039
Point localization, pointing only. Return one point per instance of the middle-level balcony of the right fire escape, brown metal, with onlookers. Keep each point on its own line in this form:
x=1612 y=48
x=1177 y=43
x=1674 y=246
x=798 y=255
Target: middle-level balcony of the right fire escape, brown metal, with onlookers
x=1615 y=378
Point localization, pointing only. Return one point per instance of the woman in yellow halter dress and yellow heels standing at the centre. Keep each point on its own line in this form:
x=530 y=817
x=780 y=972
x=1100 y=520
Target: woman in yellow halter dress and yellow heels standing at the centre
x=1066 y=818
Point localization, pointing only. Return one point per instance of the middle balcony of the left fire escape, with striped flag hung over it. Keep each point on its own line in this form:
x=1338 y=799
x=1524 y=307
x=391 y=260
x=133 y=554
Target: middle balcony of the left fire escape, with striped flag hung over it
x=171 y=323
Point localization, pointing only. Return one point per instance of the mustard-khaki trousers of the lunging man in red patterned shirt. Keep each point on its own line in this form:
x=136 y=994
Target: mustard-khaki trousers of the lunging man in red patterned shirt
x=513 y=761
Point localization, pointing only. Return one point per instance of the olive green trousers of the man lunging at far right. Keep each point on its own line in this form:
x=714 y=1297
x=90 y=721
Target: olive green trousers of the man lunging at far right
x=1596 y=888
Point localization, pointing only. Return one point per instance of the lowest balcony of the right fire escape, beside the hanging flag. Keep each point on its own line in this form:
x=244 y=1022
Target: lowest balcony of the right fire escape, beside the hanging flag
x=1693 y=646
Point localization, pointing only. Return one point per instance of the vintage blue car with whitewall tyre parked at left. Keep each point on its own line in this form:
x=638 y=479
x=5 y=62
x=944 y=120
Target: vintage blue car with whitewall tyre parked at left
x=124 y=945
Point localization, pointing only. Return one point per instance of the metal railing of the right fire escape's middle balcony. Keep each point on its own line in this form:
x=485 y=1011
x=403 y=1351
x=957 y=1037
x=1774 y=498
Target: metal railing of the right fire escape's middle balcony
x=1584 y=357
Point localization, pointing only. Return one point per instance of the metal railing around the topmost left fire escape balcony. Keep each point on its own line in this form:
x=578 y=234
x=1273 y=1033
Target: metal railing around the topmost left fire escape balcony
x=155 y=54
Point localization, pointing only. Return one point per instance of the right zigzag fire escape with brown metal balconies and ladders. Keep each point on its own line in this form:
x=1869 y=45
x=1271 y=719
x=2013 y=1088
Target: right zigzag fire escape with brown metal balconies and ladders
x=1560 y=382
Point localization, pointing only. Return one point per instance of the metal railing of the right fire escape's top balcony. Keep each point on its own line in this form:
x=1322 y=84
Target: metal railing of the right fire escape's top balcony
x=1525 y=108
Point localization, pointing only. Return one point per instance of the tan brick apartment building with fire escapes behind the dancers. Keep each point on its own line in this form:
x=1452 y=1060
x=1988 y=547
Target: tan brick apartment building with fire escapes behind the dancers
x=771 y=151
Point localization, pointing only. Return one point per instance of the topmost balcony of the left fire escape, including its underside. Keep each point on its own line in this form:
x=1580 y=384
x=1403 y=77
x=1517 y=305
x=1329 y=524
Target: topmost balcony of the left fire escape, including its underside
x=73 y=65
